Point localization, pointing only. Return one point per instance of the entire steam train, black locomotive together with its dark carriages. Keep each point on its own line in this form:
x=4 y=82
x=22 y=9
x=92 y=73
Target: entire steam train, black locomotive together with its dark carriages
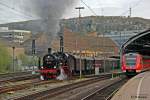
x=63 y=65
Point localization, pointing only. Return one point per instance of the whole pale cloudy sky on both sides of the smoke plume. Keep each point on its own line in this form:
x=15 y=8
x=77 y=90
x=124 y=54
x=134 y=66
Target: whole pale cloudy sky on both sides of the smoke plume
x=11 y=10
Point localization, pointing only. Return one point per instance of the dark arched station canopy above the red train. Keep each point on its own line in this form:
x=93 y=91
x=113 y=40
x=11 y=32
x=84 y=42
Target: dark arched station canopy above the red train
x=139 y=43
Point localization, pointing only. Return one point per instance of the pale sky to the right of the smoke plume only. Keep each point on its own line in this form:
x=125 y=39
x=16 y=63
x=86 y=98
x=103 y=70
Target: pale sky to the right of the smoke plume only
x=140 y=8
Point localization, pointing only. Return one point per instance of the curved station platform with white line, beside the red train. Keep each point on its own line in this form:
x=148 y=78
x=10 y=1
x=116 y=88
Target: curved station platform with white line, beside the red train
x=137 y=88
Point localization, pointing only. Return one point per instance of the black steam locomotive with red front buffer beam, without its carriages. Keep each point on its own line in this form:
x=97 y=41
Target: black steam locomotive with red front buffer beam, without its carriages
x=52 y=65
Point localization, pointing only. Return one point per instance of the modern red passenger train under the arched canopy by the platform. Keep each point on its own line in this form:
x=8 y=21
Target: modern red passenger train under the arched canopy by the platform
x=133 y=63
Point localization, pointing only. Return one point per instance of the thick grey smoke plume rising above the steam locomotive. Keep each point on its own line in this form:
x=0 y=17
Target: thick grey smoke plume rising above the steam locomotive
x=49 y=13
